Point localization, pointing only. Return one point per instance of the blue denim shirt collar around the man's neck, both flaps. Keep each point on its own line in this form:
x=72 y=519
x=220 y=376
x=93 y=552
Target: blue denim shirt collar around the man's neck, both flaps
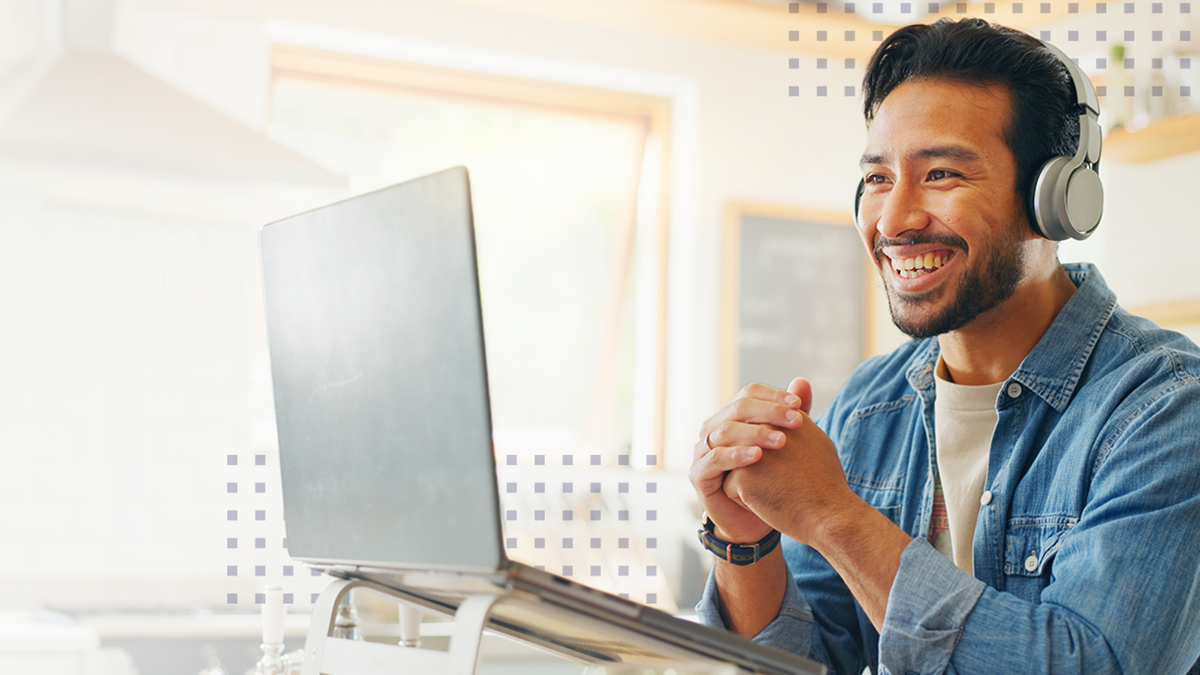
x=1053 y=369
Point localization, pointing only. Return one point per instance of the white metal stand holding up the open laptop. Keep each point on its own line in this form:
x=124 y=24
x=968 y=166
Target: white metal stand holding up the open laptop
x=327 y=655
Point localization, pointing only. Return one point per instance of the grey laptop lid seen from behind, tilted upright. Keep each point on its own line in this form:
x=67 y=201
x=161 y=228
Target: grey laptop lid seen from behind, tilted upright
x=379 y=368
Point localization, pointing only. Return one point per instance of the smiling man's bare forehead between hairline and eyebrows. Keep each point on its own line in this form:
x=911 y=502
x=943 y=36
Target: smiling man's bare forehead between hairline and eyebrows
x=938 y=114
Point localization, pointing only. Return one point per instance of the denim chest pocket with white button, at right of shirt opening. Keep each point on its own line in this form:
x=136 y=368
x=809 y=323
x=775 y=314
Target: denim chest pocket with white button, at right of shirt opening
x=1030 y=551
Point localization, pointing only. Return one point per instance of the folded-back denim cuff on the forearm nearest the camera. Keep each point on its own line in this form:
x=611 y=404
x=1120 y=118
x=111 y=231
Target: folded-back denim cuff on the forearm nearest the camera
x=928 y=606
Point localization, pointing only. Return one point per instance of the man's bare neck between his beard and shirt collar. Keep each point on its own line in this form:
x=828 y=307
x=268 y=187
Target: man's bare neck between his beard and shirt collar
x=993 y=347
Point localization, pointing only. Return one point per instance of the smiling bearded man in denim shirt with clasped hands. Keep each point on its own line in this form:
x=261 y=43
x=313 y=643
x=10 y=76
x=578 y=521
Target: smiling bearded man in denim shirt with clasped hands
x=1016 y=491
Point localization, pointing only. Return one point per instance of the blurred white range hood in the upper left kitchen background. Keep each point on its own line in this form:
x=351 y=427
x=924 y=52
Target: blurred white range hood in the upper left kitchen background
x=83 y=104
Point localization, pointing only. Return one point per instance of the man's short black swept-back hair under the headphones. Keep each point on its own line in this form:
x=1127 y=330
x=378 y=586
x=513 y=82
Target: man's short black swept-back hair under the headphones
x=1046 y=114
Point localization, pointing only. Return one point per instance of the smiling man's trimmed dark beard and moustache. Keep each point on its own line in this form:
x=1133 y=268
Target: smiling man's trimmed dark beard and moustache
x=982 y=288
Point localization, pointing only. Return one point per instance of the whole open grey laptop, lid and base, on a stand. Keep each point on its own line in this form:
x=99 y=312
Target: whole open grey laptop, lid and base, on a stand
x=386 y=438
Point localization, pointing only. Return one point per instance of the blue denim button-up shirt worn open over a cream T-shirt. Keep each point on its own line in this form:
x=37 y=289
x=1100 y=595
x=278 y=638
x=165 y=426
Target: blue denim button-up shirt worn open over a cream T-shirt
x=1088 y=551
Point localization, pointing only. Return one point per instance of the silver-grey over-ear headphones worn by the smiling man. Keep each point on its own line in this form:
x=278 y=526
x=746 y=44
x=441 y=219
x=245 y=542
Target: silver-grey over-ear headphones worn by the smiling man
x=1067 y=199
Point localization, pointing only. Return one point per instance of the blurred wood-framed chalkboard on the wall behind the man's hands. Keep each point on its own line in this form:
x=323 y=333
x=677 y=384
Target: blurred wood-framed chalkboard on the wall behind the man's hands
x=796 y=301
